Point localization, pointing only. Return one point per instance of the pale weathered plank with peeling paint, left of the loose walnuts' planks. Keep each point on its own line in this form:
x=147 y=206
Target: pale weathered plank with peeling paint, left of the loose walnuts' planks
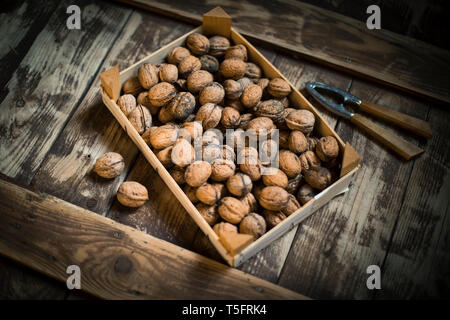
x=49 y=83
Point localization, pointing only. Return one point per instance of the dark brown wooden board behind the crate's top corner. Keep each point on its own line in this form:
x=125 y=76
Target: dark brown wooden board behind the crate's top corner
x=329 y=38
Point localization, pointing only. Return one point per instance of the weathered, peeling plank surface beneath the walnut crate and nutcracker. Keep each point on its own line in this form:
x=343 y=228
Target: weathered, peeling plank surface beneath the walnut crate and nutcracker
x=54 y=126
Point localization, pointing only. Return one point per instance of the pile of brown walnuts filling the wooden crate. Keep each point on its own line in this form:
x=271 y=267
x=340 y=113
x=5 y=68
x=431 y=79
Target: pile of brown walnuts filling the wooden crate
x=211 y=81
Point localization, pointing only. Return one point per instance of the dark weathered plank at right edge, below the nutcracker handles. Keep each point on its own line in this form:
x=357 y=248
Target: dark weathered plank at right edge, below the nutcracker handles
x=418 y=261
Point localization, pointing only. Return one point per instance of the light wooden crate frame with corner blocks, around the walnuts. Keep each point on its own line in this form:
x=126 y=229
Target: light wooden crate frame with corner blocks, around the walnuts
x=218 y=22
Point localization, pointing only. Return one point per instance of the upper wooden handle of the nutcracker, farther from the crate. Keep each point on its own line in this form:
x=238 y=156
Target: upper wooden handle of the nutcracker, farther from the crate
x=402 y=120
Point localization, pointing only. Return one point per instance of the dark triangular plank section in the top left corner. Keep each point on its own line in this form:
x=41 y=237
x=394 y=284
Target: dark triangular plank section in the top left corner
x=20 y=23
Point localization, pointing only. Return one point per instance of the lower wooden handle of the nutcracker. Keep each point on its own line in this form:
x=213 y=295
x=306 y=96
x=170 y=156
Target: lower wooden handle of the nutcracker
x=402 y=147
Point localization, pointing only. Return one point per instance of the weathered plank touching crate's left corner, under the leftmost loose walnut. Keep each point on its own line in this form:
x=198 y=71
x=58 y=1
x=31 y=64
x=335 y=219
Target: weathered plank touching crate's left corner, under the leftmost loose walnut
x=92 y=131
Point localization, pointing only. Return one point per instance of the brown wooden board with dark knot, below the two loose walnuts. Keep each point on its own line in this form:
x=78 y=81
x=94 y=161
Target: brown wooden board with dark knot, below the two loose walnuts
x=117 y=262
